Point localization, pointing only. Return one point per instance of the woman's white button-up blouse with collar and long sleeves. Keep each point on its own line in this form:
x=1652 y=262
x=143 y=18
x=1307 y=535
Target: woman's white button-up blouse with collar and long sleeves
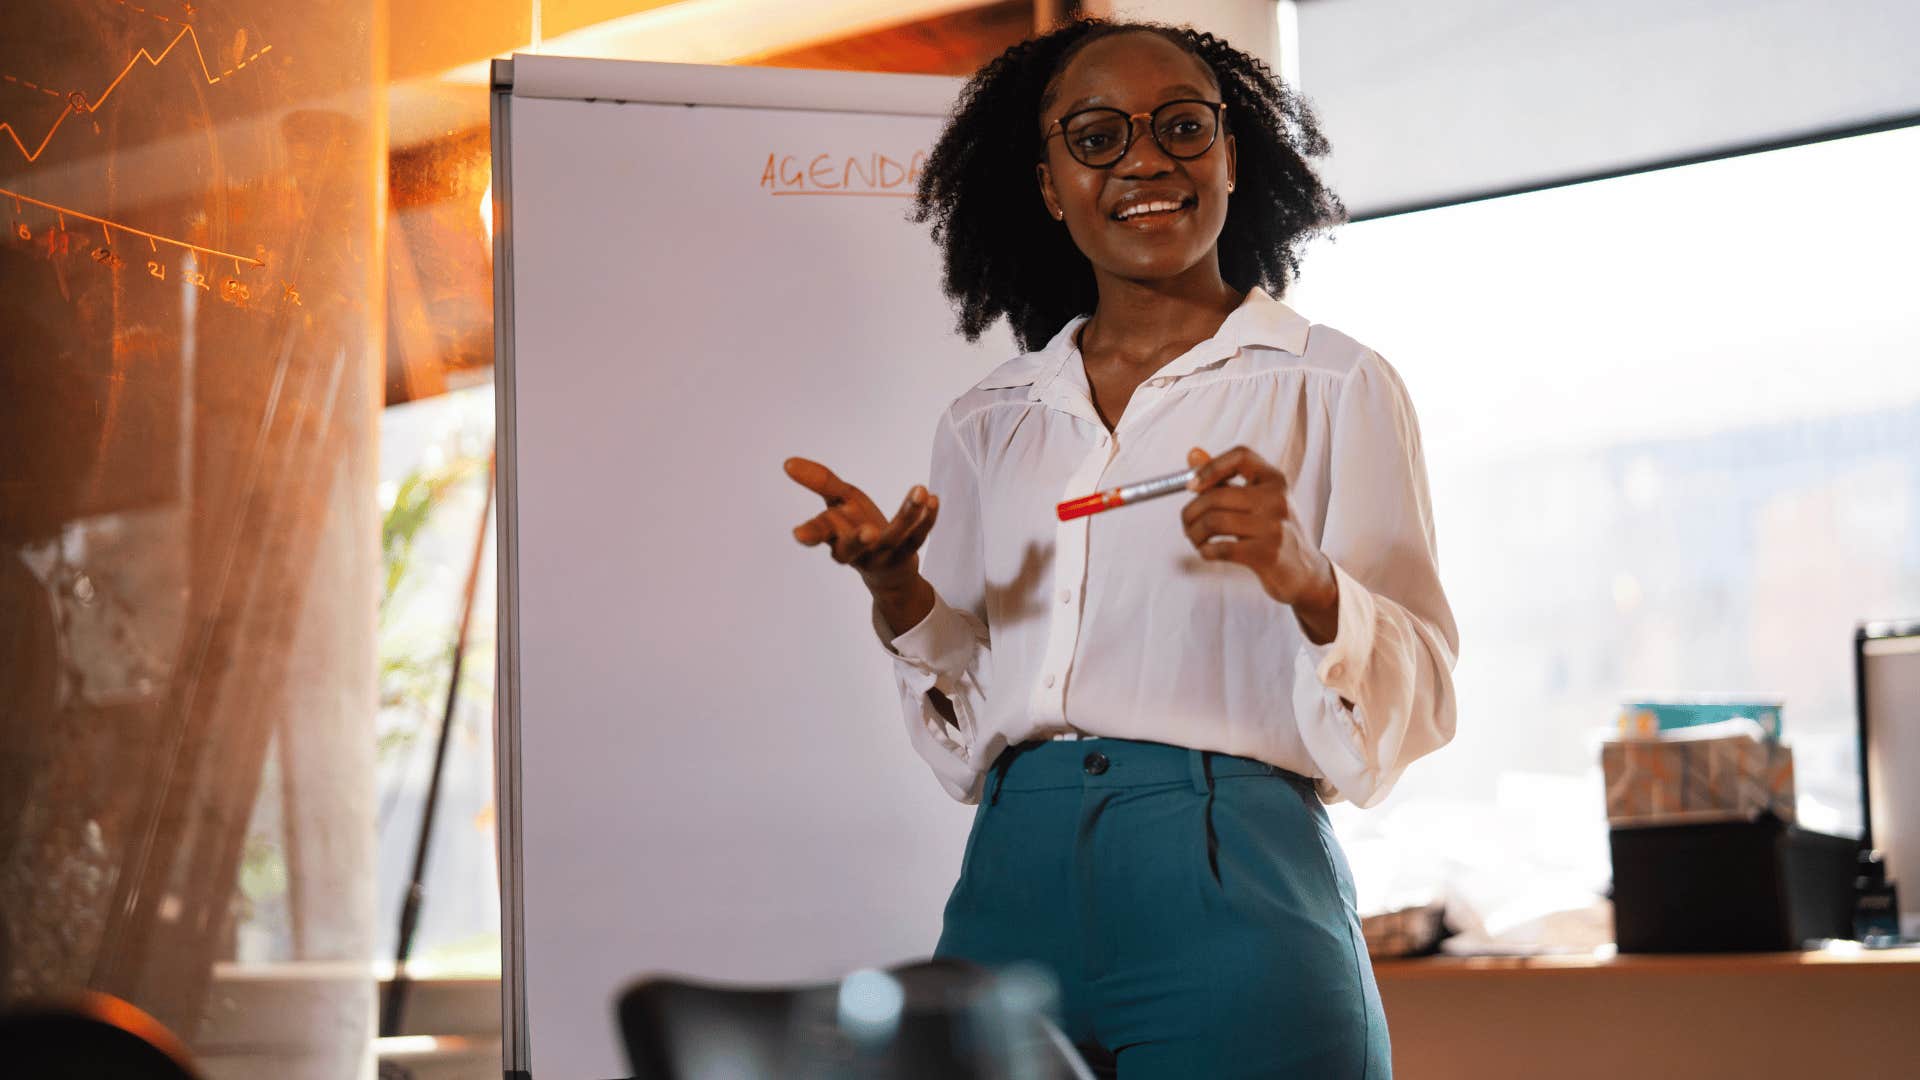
x=1113 y=626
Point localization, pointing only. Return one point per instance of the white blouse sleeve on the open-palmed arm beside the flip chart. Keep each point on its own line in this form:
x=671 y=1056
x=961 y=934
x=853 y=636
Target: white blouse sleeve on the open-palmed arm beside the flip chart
x=949 y=649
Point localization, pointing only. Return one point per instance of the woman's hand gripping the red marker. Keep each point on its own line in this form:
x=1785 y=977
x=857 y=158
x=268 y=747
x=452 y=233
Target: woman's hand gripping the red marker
x=1255 y=526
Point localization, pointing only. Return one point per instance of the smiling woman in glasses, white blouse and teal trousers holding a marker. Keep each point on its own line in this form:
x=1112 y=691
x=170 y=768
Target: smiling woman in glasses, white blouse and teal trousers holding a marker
x=1151 y=704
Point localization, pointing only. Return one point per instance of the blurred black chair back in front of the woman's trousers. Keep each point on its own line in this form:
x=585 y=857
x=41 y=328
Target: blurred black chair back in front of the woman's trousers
x=930 y=1021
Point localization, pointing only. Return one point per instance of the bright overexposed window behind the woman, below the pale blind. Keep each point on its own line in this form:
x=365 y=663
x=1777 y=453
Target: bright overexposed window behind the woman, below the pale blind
x=1673 y=433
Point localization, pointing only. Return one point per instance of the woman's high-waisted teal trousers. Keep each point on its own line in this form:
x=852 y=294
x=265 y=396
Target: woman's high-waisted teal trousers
x=1195 y=908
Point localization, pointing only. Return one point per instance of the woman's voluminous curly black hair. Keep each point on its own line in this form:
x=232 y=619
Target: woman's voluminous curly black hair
x=1005 y=255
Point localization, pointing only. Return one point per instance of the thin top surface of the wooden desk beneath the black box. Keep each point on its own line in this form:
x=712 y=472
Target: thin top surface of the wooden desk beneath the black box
x=1842 y=956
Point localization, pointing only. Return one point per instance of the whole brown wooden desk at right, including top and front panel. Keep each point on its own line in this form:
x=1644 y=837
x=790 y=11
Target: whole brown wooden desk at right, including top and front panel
x=1840 y=1012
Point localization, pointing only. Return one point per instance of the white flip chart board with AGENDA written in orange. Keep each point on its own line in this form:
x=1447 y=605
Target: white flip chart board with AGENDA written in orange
x=702 y=762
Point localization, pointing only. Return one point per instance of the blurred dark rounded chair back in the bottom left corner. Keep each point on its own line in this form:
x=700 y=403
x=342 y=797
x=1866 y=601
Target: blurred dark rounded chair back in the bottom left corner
x=93 y=1037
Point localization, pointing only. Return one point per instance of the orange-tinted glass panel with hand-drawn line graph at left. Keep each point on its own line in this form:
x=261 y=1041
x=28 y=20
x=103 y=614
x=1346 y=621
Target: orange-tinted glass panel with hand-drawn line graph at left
x=191 y=303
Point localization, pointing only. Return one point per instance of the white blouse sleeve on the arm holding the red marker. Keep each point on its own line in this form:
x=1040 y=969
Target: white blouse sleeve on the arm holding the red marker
x=1381 y=695
